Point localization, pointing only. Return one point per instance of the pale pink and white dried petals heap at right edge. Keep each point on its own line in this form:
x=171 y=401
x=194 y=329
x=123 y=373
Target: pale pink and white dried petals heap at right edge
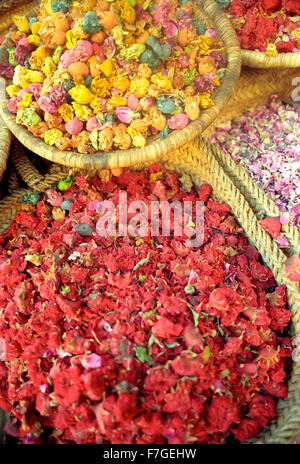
x=266 y=142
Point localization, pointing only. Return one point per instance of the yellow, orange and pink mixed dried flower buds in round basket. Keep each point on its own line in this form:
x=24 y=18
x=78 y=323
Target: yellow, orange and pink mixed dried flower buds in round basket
x=97 y=75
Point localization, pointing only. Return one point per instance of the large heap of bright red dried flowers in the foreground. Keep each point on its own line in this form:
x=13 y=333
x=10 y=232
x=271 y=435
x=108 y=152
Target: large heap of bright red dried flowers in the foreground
x=136 y=339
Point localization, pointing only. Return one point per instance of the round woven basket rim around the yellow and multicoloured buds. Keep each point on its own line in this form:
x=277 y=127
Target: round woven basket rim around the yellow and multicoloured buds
x=209 y=10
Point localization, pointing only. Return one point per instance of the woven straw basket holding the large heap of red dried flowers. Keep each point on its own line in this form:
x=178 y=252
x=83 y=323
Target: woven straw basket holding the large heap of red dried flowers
x=199 y=160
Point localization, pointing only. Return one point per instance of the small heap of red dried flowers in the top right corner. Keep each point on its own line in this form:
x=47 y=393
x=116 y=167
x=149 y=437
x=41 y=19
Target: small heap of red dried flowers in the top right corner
x=271 y=26
